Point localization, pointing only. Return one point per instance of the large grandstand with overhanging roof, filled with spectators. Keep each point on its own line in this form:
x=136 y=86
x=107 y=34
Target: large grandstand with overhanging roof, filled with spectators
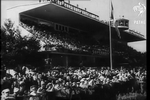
x=72 y=35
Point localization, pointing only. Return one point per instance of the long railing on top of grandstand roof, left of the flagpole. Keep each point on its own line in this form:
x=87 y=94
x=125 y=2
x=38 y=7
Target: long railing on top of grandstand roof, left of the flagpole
x=76 y=9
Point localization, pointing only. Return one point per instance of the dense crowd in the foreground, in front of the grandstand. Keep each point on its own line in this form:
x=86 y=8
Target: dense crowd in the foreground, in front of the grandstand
x=72 y=83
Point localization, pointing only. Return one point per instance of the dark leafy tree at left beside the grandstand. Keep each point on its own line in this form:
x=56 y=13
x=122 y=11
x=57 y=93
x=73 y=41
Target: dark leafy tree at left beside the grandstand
x=14 y=47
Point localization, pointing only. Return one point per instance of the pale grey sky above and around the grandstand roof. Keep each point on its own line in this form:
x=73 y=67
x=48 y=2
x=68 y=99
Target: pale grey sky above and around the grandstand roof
x=101 y=8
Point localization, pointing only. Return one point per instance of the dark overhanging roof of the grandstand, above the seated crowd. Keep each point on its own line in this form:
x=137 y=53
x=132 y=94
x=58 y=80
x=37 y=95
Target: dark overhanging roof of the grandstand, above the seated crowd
x=60 y=14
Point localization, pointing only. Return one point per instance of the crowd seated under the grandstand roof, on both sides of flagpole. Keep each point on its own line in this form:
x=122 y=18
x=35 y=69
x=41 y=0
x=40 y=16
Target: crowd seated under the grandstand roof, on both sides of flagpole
x=71 y=42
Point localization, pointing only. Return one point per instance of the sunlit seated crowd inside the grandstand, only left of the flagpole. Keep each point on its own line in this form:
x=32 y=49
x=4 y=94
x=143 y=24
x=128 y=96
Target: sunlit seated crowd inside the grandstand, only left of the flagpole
x=71 y=42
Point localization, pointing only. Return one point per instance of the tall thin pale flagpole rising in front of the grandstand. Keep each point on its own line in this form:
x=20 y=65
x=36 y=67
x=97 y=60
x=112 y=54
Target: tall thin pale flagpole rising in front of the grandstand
x=110 y=44
